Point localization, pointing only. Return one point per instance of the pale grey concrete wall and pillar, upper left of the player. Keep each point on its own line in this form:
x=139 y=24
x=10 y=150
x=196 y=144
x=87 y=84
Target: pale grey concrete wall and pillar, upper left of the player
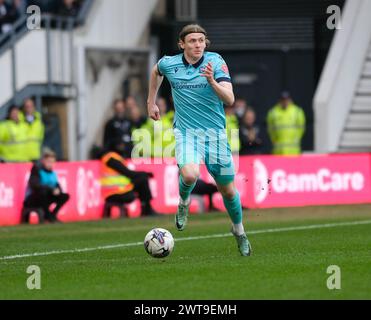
x=114 y=26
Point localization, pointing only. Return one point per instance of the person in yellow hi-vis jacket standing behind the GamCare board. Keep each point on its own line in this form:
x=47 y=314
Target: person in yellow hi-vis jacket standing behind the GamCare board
x=286 y=126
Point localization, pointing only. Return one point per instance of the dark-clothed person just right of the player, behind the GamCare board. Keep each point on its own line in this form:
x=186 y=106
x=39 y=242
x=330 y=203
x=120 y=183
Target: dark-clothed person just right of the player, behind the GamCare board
x=251 y=143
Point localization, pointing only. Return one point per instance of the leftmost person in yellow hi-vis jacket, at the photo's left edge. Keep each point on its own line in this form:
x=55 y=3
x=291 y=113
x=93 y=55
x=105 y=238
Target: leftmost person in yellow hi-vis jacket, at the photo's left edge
x=13 y=137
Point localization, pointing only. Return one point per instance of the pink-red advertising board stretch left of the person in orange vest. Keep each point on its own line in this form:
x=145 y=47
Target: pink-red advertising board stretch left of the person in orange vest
x=79 y=179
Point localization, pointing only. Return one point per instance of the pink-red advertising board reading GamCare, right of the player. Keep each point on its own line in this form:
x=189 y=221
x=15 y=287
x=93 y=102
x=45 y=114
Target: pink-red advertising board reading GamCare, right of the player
x=308 y=180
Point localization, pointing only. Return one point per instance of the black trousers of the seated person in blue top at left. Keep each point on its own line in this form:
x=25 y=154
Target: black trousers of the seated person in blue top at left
x=45 y=200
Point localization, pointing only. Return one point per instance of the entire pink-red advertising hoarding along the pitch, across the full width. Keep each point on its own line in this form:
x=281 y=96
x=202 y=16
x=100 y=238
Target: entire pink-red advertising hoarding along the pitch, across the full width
x=263 y=182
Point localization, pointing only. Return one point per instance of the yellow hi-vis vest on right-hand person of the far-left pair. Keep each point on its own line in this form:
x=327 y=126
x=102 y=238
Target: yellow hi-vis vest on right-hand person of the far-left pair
x=35 y=136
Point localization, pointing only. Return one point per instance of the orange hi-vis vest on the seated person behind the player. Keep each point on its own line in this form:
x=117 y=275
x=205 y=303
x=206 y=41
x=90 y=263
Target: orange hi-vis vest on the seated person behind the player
x=112 y=182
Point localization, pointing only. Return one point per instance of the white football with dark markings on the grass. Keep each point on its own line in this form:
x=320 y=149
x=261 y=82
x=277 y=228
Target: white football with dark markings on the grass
x=159 y=243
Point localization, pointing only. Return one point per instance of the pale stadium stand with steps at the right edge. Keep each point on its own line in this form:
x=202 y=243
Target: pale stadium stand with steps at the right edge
x=342 y=102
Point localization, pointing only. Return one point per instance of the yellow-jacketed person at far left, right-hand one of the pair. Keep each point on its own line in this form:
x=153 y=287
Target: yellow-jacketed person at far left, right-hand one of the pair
x=35 y=130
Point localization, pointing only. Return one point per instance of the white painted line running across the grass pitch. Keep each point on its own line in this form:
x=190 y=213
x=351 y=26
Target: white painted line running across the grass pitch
x=213 y=236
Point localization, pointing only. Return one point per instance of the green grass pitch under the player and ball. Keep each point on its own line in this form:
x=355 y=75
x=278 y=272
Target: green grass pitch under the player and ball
x=292 y=249
